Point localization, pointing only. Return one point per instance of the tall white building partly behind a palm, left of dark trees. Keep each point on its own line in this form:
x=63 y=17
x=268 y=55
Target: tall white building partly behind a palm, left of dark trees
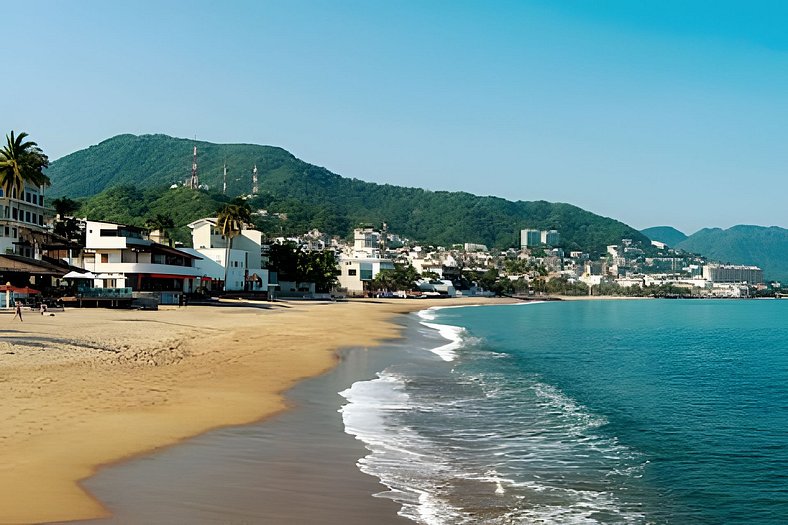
x=239 y=269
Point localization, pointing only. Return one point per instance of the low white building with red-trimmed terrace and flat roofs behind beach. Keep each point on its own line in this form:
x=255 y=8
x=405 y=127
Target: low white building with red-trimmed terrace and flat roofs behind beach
x=120 y=257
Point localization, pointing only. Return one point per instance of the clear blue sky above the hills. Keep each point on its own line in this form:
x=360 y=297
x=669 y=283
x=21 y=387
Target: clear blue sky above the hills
x=659 y=112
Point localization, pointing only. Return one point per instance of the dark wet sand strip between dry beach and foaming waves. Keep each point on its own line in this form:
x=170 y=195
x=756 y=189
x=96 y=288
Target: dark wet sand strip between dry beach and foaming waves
x=298 y=467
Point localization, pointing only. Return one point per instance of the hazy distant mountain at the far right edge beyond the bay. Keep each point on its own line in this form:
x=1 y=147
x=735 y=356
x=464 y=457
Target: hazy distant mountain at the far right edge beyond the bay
x=757 y=245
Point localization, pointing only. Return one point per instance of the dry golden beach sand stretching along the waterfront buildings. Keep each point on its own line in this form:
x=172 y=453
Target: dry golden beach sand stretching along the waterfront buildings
x=86 y=388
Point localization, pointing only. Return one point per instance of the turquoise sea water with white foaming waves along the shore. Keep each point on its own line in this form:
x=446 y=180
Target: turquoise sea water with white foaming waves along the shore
x=652 y=411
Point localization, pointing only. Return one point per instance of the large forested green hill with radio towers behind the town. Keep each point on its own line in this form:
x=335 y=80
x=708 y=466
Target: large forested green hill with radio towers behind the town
x=311 y=196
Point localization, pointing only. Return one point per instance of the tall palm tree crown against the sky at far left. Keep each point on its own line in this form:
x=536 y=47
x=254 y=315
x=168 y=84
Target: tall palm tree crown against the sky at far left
x=22 y=162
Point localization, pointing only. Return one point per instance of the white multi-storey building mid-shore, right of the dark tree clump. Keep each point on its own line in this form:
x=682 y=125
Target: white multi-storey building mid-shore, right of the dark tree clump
x=361 y=263
